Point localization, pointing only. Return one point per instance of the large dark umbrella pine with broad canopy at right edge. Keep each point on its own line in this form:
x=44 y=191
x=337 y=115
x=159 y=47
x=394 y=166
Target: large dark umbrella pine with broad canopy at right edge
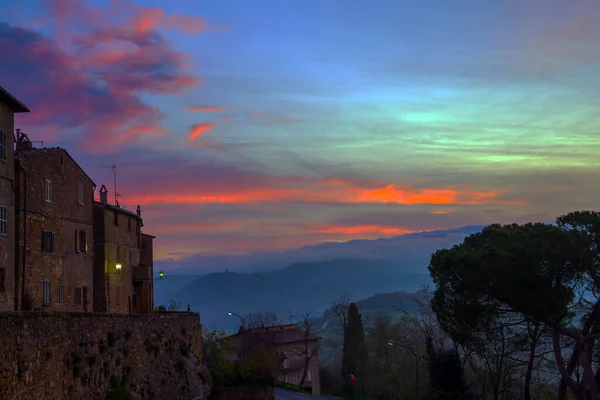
x=536 y=271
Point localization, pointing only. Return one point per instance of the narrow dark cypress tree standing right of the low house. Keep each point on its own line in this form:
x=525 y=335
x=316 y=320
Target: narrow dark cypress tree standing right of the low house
x=355 y=358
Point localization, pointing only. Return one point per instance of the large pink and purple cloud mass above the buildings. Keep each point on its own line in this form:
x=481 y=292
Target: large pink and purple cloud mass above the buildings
x=85 y=86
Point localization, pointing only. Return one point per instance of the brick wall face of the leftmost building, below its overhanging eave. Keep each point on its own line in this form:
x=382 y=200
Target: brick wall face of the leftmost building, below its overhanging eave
x=7 y=199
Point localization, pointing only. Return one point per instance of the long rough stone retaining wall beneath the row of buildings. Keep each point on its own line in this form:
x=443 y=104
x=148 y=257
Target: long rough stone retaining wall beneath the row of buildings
x=53 y=355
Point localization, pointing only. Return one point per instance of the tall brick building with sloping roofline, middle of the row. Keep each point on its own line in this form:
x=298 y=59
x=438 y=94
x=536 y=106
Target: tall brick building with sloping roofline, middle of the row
x=55 y=243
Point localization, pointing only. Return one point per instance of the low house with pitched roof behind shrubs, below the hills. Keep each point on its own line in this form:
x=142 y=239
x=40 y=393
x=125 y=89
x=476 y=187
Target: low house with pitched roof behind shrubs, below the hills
x=290 y=344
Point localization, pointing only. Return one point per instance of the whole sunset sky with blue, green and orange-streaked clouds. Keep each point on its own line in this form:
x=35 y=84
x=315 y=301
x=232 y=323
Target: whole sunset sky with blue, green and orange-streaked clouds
x=242 y=126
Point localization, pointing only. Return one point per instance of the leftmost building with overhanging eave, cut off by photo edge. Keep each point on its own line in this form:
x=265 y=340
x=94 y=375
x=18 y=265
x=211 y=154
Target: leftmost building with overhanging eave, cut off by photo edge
x=9 y=106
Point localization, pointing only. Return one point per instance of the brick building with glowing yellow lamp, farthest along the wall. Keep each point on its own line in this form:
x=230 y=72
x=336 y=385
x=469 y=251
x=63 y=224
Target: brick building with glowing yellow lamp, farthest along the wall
x=123 y=260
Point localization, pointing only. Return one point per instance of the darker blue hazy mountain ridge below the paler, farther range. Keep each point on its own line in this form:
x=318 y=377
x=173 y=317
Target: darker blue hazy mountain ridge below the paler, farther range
x=295 y=289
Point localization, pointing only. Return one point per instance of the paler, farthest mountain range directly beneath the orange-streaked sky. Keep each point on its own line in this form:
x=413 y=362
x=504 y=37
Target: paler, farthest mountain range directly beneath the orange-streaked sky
x=414 y=248
